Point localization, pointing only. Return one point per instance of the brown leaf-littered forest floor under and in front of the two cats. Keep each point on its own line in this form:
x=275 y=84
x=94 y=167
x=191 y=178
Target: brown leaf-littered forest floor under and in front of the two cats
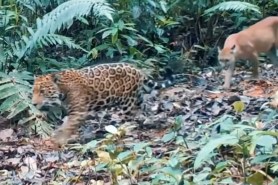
x=195 y=103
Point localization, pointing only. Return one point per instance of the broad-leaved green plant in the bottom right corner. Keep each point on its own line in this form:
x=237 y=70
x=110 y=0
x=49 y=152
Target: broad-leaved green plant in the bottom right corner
x=238 y=141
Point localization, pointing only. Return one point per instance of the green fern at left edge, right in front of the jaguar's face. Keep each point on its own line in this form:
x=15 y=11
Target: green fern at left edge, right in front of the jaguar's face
x=15 y=92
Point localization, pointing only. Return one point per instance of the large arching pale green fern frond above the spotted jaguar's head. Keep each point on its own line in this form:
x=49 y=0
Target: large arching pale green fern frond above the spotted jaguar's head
x=61 y=17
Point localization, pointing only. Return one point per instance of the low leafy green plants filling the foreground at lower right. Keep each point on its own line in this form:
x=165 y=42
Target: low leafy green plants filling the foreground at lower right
x=229 y=151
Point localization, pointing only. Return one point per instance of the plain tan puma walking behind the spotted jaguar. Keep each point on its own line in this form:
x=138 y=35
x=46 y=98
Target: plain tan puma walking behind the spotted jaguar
x=247 y=45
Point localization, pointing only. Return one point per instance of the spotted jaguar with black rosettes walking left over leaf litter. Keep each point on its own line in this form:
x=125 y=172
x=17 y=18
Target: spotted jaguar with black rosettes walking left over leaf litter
x=90 y=89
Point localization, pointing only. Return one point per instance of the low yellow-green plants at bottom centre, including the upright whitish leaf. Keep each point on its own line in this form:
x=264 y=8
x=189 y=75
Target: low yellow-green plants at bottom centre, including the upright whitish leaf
x=133 y=160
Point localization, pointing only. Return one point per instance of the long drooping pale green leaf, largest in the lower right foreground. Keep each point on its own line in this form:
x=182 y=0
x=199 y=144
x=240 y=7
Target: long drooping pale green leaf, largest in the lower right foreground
x=211 y=145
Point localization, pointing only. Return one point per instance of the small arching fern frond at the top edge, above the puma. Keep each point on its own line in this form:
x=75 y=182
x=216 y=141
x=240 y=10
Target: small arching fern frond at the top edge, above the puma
x=233 y=5
